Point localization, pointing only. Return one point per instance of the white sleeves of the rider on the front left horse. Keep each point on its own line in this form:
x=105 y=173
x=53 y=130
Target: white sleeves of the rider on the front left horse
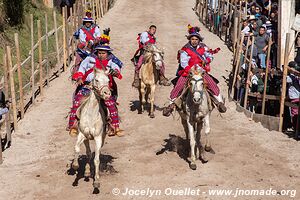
x=89 y=62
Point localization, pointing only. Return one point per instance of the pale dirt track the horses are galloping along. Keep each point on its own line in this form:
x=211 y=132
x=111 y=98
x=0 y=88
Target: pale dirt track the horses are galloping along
x=247 y=155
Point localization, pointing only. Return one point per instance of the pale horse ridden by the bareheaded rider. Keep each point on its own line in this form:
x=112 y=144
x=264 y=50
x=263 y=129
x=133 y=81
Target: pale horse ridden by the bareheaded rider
x=153 y=62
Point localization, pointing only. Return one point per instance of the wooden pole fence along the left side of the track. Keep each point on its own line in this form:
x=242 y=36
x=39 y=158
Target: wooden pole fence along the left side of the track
x=41 y=60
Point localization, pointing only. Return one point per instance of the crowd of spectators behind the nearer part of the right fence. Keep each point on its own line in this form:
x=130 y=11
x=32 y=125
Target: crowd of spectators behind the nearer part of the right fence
x=260 y=25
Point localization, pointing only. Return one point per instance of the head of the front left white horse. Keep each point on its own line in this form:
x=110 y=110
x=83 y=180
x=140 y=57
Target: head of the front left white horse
x=100 y=84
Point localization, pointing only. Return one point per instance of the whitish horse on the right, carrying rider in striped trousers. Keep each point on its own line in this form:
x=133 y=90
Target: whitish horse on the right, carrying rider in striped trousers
x=197 y=110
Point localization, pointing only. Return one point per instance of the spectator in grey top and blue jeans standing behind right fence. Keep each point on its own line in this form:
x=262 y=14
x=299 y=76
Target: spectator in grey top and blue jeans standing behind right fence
x=261 y=42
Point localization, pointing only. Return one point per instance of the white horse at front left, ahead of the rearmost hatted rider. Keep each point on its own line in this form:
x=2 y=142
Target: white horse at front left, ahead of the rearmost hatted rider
x=92 y=123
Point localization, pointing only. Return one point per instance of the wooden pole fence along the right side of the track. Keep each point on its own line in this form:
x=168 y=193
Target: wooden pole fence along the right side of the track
x=225 y=18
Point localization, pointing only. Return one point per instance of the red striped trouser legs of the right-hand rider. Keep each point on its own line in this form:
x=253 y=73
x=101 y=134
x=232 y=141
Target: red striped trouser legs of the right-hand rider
x=211 y=85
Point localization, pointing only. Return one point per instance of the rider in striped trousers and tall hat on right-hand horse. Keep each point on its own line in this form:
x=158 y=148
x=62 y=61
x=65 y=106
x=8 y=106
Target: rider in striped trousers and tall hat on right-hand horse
x=195 y=53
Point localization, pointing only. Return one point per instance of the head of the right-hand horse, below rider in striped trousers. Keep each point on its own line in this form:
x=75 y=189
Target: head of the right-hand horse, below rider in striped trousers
x=196 y=85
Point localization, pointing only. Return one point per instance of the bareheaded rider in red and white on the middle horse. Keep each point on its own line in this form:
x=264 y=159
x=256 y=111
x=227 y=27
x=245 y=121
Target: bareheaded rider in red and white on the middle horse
x=145 y=38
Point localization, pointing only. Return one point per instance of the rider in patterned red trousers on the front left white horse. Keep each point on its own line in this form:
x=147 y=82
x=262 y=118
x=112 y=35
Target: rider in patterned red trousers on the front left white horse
x=102 y=59
